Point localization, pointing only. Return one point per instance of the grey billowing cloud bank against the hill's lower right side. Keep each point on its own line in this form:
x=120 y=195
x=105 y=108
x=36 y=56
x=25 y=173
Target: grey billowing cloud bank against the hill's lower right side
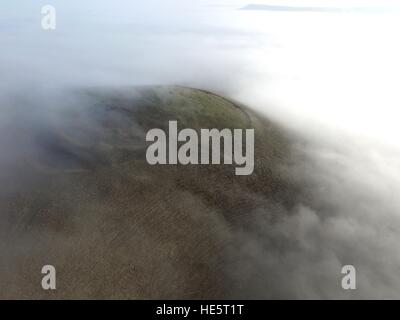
x=351 y=218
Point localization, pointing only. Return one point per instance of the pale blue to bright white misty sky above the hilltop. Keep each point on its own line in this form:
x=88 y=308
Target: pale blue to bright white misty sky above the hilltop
x=341 y=70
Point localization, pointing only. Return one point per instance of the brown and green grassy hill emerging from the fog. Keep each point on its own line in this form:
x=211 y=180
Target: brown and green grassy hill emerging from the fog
x=84 y=199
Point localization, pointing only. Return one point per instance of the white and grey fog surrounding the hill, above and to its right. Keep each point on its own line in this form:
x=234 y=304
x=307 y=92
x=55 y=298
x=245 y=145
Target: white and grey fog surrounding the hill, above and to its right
x=330 y=78
